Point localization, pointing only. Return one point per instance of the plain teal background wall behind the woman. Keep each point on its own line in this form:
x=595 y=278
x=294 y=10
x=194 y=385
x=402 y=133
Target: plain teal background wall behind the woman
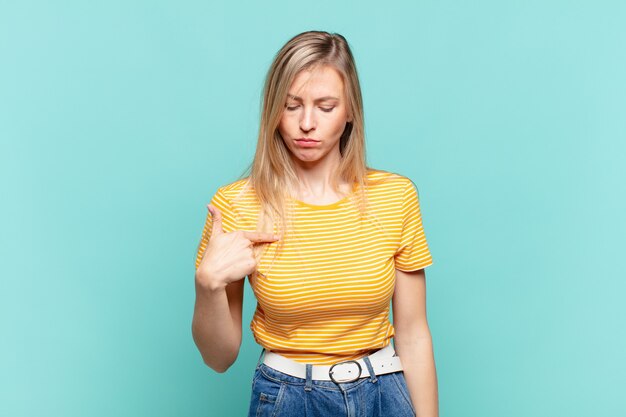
x=119 y=120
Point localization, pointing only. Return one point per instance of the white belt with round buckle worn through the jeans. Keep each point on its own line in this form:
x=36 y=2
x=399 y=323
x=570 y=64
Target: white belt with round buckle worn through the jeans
x=383 y=361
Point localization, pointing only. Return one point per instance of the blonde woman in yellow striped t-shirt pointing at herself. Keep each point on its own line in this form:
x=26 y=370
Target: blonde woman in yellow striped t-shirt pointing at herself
x=326 y=243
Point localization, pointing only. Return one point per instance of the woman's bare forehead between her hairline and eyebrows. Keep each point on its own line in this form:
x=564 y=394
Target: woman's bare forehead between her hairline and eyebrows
x=317 y=82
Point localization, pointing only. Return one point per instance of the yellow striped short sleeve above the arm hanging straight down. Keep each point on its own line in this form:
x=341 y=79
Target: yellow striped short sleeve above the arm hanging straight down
x=413 y=252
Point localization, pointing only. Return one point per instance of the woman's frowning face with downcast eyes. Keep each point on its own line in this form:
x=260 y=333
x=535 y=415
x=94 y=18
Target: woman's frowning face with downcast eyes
x=315 y=115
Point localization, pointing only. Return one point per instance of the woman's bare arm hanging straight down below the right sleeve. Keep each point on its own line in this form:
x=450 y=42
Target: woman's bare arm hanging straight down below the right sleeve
x=413 y=342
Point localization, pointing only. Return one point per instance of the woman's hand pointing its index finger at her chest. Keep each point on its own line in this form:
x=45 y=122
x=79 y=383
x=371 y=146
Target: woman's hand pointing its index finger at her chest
x=228 y=256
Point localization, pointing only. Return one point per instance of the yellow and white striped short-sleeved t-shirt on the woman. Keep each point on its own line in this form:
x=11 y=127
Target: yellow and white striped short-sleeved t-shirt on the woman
x=326 y=296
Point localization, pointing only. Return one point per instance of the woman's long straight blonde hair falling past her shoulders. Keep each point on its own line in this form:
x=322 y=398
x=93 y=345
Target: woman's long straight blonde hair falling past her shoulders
x=272 y=171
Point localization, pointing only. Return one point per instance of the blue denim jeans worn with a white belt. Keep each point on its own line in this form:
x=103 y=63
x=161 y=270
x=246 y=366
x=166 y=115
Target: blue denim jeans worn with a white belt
x=280 y=395
